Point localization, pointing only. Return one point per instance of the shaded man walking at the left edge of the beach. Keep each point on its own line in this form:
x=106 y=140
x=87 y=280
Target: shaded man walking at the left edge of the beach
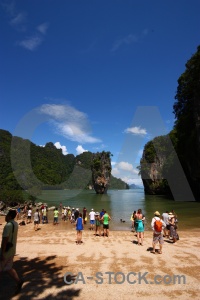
x=9 y=237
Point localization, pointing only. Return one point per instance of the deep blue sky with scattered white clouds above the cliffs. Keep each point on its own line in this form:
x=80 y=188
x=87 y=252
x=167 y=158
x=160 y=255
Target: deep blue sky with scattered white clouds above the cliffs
x=94 y=75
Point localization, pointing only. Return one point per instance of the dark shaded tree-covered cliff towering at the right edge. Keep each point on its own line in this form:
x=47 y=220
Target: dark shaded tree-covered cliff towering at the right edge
x=187 y=125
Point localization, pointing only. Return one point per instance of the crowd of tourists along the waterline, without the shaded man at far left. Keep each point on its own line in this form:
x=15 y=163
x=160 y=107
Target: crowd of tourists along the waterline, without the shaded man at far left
x=162 y=226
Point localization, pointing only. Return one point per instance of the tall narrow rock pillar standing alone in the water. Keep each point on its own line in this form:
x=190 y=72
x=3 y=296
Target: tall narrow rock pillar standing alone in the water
x=101 y=171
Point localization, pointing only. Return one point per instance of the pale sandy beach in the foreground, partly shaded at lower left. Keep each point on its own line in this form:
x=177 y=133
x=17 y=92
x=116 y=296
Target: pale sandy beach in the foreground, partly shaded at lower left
x=113 y=267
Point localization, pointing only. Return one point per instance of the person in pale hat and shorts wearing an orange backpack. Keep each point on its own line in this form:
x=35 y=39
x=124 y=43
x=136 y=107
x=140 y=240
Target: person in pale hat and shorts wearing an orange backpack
x=157 y=225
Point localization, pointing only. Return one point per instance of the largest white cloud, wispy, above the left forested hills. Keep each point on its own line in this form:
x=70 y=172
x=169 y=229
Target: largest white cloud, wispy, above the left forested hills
x=69 y=122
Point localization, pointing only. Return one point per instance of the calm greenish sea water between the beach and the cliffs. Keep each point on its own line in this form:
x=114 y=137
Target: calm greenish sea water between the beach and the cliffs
x=120 y=204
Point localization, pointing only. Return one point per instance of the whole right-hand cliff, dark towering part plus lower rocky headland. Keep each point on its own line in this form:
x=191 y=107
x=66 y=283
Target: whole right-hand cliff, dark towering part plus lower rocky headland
x=159 y=158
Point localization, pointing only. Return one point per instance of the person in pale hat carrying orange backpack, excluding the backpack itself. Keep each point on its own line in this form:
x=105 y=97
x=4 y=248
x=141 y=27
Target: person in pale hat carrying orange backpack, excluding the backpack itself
x=157 y=236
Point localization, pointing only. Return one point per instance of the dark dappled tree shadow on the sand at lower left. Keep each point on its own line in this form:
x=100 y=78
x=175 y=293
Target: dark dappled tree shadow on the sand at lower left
x=39 y=275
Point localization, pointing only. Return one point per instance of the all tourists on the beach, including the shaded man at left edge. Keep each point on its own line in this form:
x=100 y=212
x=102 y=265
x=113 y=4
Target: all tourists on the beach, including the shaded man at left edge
x=162 y=226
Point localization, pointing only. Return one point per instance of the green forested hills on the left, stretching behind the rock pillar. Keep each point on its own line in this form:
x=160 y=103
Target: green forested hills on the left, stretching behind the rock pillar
x=26 y=166
